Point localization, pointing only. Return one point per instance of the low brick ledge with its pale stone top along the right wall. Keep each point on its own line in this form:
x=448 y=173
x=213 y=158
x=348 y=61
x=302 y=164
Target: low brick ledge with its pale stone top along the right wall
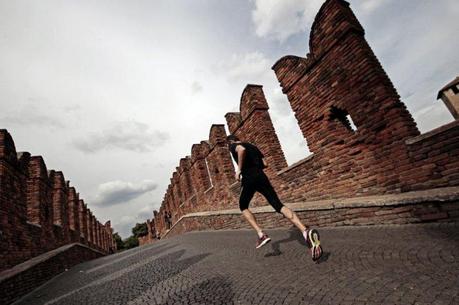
x=440 y=205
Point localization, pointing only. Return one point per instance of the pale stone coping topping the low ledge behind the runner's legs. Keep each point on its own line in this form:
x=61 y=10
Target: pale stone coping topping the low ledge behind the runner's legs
x=432 y=195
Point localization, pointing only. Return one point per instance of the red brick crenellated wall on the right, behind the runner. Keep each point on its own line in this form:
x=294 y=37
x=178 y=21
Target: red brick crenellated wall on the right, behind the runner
x=339 y=81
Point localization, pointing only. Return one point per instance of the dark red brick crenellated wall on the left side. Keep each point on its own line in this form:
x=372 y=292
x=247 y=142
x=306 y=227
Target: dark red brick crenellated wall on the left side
x=39 y=209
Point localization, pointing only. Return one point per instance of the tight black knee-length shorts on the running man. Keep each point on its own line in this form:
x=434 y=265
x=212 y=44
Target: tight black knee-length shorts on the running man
x=258 y=182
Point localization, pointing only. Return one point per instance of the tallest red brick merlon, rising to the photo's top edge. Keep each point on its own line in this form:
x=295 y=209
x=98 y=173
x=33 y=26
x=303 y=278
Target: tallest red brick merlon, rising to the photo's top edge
x=342 y=70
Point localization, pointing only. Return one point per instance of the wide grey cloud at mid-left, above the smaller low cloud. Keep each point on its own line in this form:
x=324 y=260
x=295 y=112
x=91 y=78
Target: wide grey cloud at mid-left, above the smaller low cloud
x=131 y=136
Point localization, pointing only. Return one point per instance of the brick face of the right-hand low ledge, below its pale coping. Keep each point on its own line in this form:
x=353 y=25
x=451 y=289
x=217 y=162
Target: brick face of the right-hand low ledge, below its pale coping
x=395 y=214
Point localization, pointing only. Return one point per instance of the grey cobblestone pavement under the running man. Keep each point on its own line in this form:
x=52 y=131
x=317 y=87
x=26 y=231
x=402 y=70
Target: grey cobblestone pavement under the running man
x=410 y=264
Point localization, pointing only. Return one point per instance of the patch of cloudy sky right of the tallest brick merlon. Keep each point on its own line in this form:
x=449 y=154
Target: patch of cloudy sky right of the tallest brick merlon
x=415 y=51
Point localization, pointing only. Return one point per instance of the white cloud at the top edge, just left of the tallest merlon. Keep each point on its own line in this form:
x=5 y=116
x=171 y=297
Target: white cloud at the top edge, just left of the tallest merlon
x=280 y=19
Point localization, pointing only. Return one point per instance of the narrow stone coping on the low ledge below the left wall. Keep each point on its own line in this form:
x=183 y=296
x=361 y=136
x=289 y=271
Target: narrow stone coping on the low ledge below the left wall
x=8 y=273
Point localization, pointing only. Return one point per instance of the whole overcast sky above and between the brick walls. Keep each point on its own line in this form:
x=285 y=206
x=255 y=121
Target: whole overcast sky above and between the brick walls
x=114 y=93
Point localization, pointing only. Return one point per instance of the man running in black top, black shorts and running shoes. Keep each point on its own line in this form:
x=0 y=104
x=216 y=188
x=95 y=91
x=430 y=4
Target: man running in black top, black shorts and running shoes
x=250 y=165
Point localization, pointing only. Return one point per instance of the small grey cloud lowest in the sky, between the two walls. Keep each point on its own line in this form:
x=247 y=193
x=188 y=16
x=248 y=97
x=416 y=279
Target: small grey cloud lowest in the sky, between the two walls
x=120 y=192
